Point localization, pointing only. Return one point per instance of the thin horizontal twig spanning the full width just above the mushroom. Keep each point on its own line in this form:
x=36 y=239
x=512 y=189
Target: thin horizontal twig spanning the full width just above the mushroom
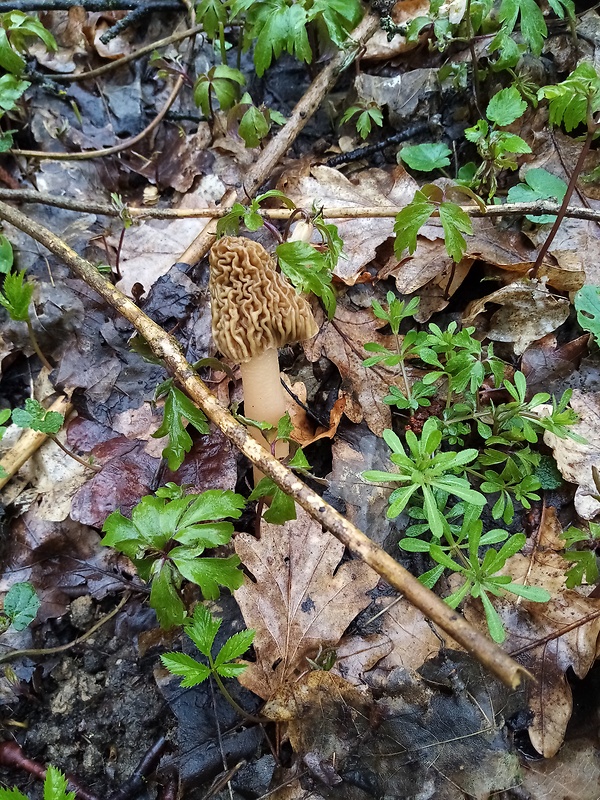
x=333 y=212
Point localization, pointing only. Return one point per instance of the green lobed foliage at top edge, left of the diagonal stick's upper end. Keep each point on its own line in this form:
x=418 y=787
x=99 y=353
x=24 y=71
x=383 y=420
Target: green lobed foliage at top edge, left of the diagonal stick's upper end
x=278 y=26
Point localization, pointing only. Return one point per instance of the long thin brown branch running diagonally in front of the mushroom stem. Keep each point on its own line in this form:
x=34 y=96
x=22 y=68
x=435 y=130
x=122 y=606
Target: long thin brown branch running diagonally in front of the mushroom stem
x=168 y=349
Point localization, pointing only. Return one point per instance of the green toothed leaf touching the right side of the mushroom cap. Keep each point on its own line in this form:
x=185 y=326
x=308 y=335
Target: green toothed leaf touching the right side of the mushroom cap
x=308 y=270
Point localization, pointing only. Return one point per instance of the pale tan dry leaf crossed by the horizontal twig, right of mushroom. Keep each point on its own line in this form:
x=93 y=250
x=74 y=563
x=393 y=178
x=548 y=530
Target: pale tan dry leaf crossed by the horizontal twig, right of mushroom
x=328 y=187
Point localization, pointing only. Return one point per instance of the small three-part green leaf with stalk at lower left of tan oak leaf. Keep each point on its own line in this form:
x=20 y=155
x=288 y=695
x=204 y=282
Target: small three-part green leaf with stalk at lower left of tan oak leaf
x=202 y=629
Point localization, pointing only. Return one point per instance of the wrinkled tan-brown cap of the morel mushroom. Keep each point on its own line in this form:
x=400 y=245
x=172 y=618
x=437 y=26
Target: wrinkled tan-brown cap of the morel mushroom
x=253 y=306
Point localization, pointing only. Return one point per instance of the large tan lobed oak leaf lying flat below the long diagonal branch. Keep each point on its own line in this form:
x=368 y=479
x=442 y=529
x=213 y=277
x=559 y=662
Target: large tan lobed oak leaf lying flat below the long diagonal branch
x=300 y=599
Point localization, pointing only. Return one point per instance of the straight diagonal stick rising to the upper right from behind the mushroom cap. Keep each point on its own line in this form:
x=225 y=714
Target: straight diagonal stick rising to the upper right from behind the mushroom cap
x=280 y=144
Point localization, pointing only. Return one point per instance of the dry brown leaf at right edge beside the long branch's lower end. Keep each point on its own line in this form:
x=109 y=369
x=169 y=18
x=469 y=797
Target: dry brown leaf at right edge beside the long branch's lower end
x=533 y=633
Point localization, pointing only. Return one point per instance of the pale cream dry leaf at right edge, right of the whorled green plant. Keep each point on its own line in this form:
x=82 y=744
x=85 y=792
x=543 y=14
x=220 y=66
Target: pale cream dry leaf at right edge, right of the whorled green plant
x=574 y=459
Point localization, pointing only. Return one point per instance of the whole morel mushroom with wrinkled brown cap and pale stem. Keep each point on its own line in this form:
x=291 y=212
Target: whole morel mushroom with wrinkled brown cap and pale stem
x=254 y=312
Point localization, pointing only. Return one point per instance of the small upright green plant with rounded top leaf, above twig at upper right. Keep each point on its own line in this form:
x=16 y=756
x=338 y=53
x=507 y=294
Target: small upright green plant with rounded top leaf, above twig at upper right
x=497 y=148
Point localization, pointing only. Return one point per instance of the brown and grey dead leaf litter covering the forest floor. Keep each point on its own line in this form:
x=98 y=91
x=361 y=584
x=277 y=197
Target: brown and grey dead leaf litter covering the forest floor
x=378 y=723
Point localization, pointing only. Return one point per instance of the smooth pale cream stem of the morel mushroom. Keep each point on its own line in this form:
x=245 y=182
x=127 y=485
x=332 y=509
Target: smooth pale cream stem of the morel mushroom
x=264 y=398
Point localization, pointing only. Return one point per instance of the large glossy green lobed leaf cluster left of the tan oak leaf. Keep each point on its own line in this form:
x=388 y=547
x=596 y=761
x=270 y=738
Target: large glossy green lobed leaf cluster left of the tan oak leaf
x=165 y=538
